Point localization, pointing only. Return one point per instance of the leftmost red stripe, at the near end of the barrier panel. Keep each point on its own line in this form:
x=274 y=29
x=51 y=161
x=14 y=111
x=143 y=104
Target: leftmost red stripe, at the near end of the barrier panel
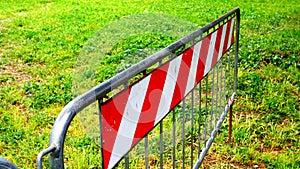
x=112 y=112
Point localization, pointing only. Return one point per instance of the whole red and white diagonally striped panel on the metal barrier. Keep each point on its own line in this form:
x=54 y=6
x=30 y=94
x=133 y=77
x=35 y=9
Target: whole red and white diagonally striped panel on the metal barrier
x=130 y=115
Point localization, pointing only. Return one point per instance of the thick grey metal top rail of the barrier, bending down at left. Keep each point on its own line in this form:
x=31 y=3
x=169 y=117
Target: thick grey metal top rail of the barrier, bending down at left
x=65 y=117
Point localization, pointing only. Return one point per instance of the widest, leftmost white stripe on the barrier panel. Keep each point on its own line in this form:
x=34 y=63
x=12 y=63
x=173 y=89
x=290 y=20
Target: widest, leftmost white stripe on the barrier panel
x=129 y=121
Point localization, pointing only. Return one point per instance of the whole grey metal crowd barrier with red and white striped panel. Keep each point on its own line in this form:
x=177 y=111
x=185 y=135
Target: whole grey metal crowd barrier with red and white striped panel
x=172 y=113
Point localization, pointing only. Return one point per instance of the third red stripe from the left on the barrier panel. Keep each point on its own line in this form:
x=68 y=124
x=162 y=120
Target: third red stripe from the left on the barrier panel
x=182 y=78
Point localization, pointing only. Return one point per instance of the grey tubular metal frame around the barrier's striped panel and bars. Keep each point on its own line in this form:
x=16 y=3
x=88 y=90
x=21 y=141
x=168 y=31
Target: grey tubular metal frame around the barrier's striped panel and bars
x=65 y=117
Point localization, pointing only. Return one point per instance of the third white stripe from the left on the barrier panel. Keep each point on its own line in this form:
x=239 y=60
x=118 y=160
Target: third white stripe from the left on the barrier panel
x=193 y=68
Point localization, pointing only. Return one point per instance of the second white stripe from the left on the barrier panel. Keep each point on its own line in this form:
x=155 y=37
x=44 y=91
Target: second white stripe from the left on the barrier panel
x=169 y=87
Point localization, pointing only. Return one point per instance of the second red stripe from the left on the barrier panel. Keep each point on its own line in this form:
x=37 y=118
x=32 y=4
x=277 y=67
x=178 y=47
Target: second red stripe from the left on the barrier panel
x=151 y=103
